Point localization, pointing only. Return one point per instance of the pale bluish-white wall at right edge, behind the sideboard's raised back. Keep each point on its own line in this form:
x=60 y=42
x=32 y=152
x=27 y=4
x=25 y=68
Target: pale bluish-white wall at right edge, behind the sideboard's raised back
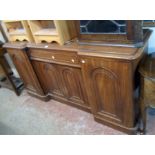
x=152 y=41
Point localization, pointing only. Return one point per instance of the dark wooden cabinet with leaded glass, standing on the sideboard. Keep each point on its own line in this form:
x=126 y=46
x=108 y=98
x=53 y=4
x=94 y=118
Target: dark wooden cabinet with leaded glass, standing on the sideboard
x=128 y=32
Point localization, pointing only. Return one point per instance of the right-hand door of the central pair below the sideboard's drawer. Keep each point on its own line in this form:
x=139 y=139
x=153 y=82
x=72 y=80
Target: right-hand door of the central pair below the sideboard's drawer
x=73 y=82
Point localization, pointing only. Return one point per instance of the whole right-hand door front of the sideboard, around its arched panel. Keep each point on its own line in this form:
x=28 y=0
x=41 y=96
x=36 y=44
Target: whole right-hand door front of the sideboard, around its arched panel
x=106 y=86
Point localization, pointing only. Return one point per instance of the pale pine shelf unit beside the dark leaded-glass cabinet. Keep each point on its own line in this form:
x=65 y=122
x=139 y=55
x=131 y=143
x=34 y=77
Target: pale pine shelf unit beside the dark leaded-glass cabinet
x=59 y=31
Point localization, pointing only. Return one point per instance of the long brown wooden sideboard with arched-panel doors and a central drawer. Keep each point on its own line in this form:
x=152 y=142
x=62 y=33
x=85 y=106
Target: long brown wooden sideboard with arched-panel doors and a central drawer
x=97 y=79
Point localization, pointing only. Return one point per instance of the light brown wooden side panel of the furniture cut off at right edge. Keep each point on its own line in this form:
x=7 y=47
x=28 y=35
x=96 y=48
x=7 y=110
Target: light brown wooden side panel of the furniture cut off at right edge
x=149 y=91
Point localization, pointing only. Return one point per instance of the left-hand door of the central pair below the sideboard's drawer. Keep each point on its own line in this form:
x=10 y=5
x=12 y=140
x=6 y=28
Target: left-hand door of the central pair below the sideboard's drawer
x=49 y=77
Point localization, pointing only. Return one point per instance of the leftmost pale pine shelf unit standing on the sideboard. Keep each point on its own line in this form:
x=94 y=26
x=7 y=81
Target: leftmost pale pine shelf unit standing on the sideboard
x=17 y=30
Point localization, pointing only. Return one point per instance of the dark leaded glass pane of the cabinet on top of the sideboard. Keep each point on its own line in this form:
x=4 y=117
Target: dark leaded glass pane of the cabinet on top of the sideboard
x=102 y=26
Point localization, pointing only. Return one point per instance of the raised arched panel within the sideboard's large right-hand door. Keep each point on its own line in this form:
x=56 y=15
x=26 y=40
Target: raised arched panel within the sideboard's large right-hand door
x=107 y=93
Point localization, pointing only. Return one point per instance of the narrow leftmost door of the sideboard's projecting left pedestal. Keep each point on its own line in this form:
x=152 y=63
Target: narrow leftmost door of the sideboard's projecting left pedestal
x=25 y=70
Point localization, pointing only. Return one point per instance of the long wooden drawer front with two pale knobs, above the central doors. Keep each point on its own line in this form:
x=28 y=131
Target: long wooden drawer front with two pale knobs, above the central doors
x=55 y=56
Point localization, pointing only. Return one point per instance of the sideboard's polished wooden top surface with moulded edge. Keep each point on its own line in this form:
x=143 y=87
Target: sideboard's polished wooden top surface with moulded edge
x=108 y=51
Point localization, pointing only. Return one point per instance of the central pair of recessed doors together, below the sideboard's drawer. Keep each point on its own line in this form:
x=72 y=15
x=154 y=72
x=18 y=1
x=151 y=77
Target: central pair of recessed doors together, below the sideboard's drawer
x=62 y=81
